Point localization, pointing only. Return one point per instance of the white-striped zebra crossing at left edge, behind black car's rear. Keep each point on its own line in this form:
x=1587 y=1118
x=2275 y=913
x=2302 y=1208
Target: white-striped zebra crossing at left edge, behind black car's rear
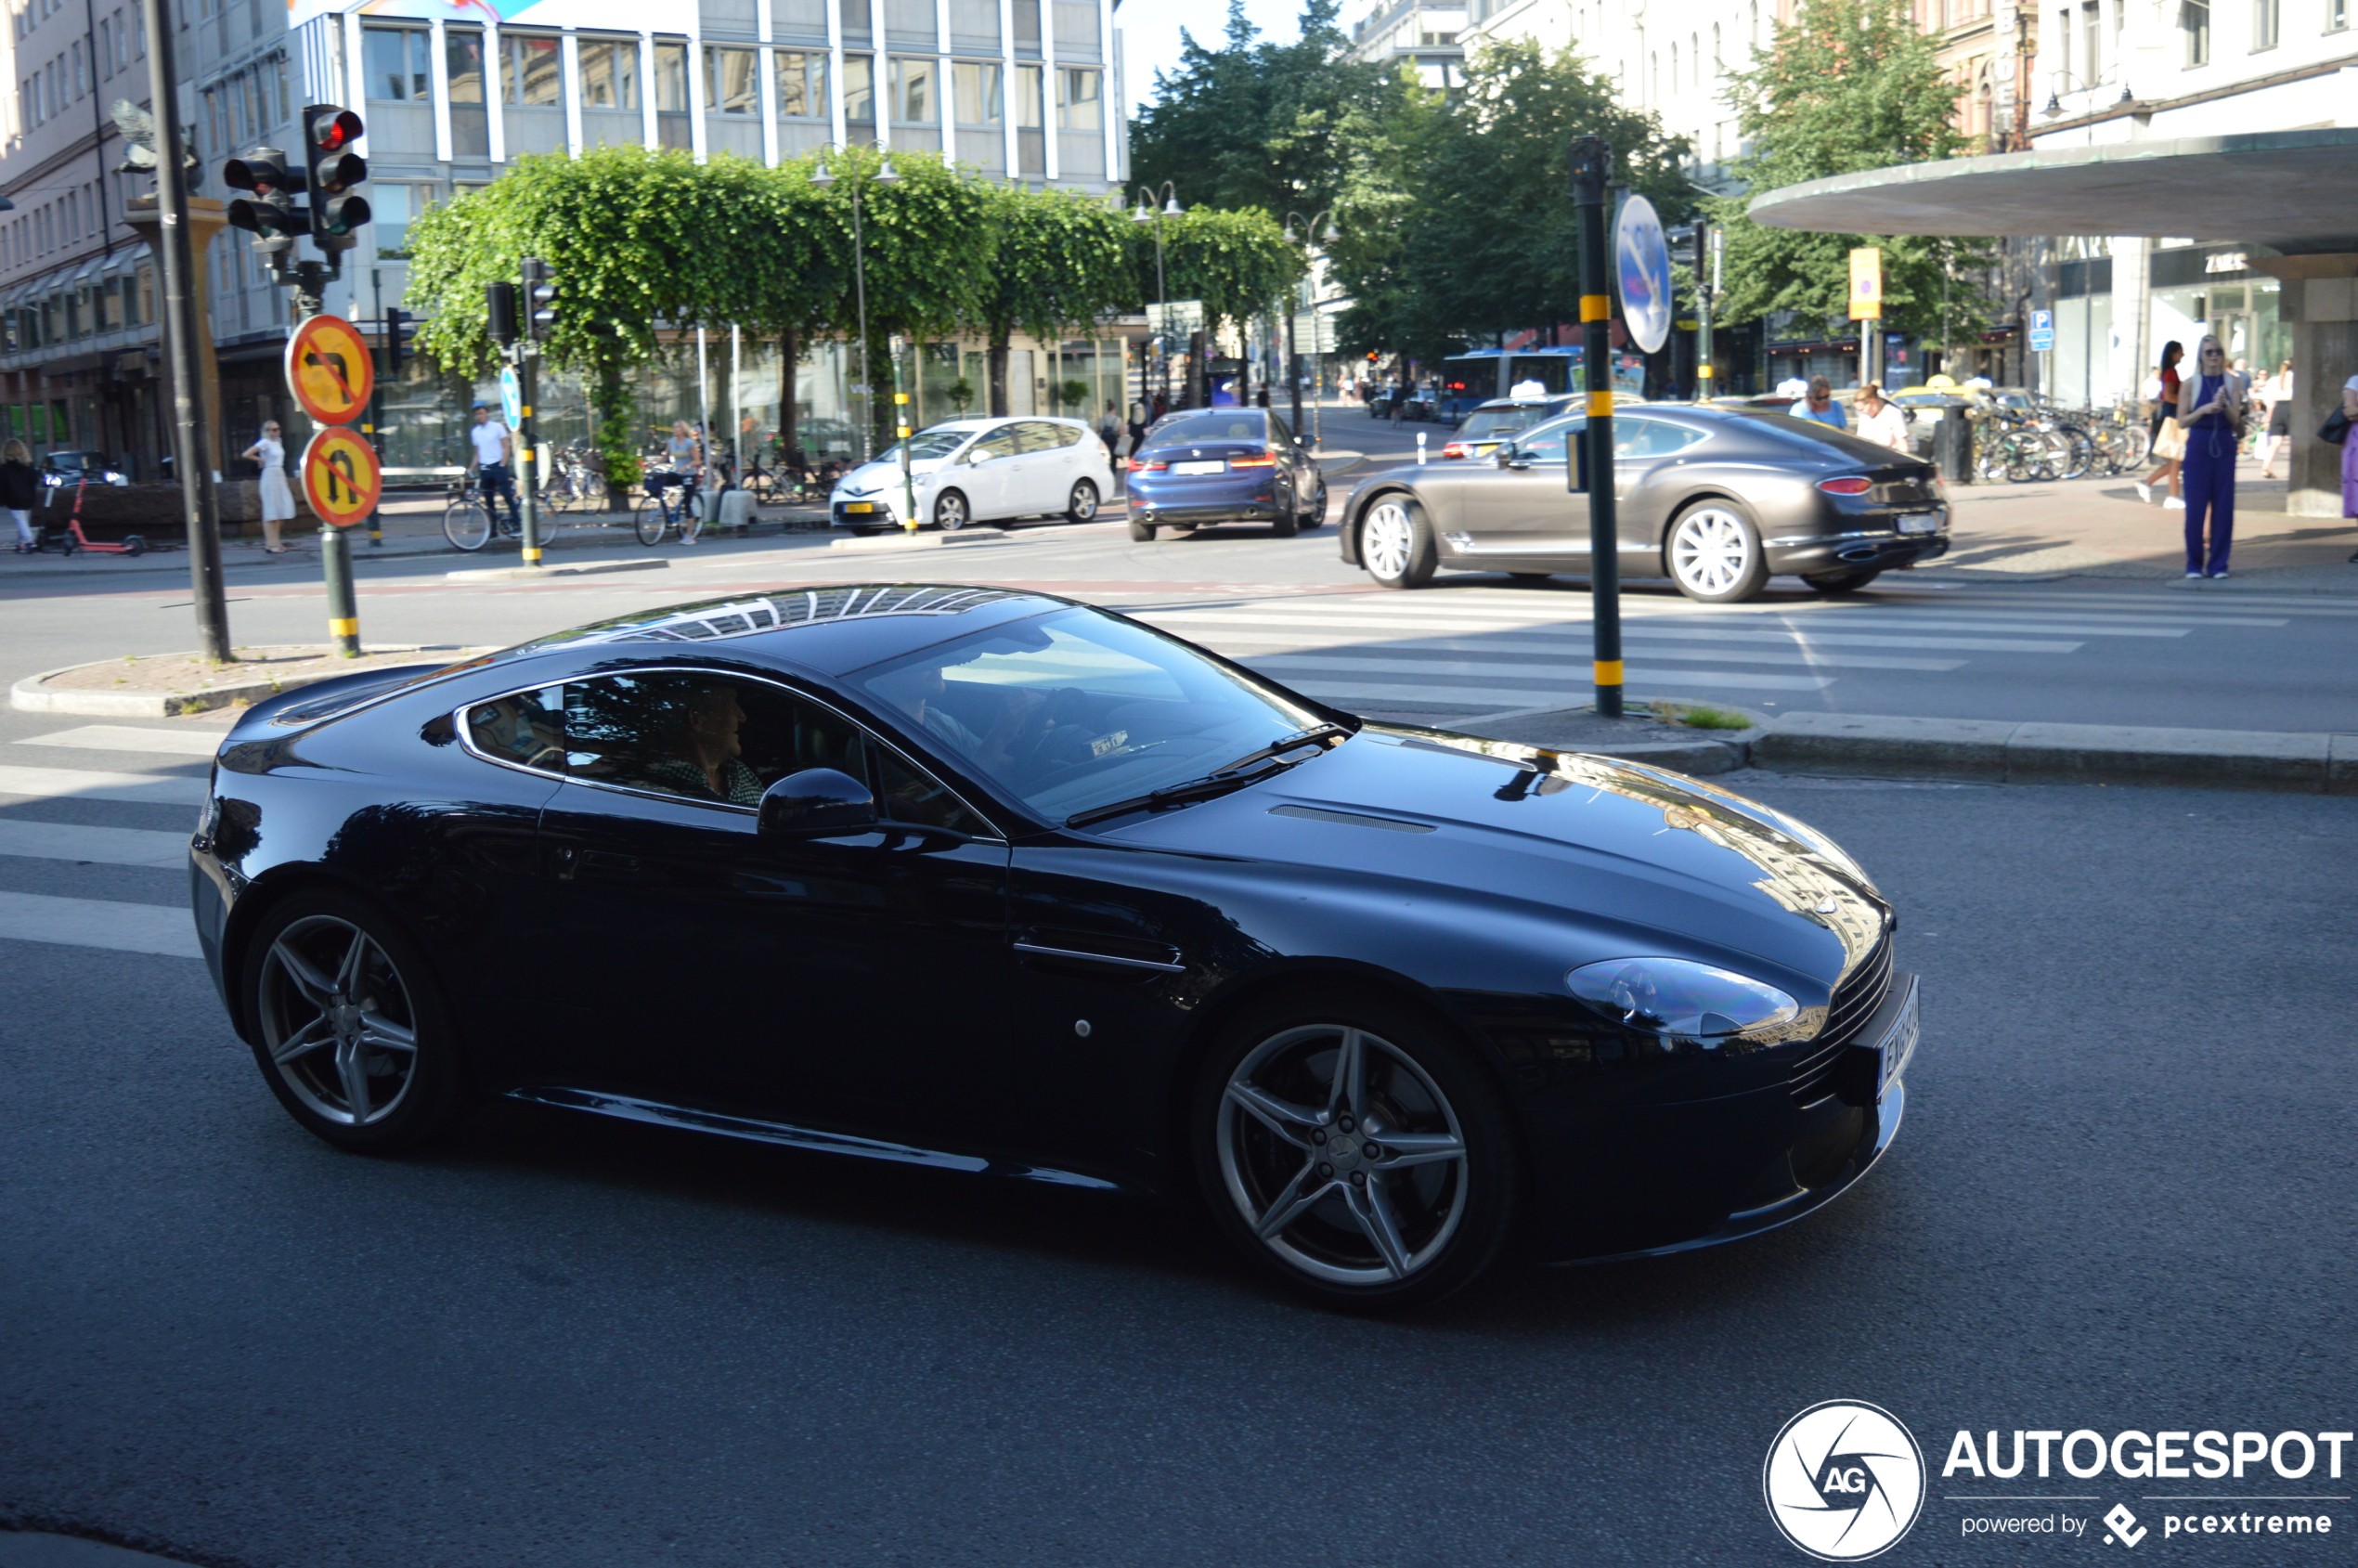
x=65 y=815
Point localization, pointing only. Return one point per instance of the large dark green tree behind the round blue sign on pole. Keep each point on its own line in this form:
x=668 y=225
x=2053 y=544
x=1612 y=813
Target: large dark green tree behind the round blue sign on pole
x=1458 y=220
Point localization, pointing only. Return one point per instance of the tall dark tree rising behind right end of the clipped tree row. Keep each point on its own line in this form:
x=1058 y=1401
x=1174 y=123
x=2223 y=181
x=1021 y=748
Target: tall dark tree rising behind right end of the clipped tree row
x=1256 y=124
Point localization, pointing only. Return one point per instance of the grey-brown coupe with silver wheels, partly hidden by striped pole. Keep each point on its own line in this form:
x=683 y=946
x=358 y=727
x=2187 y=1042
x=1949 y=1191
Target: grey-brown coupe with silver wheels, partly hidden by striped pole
x=1713 y=499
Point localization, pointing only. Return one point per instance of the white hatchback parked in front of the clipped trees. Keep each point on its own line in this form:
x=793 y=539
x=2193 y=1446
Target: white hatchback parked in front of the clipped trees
x=980 y=470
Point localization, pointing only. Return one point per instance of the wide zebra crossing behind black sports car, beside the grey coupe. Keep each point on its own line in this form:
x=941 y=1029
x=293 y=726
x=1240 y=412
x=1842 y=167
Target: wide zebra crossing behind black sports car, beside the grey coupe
x=1484 y=652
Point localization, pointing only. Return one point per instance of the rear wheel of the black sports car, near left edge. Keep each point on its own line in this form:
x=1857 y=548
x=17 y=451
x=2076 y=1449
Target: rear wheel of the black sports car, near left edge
x=350 y=1025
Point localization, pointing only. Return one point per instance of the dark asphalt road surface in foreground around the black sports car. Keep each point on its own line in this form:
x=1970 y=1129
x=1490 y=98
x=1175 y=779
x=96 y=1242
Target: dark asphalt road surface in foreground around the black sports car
x=2123 y=1199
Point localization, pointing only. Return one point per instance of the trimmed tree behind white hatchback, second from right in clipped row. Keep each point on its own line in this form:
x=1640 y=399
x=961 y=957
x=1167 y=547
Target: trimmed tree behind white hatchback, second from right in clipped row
x=1060 y=261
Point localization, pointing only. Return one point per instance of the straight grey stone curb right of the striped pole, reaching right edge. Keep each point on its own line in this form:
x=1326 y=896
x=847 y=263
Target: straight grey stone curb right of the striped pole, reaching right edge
x=2003 y=751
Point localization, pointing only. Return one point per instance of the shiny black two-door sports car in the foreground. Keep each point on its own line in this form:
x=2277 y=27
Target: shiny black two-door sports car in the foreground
x=1020 y=888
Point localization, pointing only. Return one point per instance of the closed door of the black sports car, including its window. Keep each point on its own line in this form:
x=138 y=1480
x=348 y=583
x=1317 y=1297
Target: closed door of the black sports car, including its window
x=815 y=982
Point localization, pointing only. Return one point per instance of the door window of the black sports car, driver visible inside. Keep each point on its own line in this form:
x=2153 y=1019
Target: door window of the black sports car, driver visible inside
x=713 y=739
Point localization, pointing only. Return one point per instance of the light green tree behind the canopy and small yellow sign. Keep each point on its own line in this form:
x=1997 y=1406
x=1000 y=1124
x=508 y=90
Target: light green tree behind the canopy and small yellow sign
x=1847 y=86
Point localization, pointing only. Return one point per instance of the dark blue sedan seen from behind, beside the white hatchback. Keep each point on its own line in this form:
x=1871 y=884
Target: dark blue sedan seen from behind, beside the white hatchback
x=1225 y=466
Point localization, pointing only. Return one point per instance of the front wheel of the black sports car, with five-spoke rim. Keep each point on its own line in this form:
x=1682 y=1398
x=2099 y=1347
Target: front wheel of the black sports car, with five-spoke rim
x=1279 y=1131
